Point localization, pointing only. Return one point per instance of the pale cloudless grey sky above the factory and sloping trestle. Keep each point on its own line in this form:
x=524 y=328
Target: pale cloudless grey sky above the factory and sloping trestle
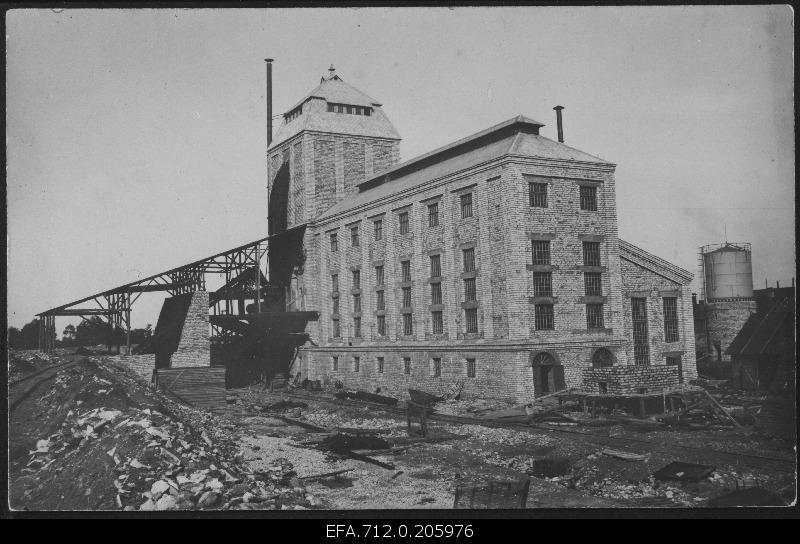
x=136 y=138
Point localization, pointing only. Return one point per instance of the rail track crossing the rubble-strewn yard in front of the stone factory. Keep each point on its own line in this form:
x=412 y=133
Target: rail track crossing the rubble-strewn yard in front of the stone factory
x=634 y=445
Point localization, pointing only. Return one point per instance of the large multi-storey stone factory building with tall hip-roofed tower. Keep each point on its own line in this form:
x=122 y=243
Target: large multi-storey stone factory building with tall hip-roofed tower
x=493 y=261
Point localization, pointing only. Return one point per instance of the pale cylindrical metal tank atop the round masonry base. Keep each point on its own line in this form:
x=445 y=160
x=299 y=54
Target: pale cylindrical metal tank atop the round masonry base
x=729 y=272
